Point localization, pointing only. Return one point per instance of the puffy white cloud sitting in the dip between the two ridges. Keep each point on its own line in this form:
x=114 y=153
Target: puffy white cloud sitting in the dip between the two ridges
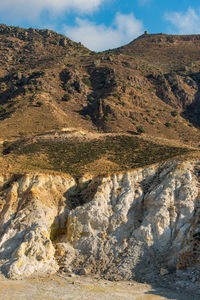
x=100 y=37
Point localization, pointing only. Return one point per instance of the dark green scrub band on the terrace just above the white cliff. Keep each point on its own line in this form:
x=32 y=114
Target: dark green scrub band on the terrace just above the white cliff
x=124 y=152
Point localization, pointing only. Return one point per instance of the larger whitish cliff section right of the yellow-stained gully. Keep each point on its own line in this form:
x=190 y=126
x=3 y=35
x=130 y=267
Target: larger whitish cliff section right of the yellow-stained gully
x=151 y=209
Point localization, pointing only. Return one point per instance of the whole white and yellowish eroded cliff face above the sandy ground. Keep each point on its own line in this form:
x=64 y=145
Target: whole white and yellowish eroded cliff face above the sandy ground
x=120 y=226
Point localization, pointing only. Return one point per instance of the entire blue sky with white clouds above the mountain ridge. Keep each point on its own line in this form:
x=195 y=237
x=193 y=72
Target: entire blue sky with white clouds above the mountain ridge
x=104 y=24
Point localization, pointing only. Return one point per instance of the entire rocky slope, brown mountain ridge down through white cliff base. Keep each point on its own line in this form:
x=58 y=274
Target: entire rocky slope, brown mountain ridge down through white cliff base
x=100 y=167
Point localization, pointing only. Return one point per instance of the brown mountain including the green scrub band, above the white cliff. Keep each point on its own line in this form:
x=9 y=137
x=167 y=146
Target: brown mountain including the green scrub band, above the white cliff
x=55 y=91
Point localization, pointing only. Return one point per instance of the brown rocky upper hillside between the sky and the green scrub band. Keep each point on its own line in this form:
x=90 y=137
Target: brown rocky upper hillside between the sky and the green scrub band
x=150 y=86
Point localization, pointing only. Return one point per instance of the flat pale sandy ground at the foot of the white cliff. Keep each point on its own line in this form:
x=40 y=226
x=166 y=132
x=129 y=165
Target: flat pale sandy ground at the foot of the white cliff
x=60 y=287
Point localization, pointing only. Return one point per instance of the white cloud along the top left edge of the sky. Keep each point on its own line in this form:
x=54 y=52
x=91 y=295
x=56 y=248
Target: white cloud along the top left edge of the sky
x=31 y=9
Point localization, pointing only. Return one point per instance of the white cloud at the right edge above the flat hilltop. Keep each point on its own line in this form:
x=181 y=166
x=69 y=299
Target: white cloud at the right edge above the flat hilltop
x=185 y=22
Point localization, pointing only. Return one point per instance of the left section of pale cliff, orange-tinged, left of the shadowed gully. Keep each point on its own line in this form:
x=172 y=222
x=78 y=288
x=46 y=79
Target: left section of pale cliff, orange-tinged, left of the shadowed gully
x=29 y=207
